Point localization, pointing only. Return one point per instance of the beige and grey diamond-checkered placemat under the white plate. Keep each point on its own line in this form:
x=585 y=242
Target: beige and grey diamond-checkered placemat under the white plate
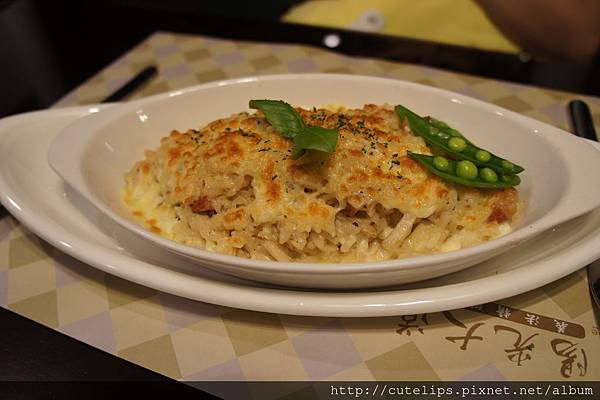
x=546 y=334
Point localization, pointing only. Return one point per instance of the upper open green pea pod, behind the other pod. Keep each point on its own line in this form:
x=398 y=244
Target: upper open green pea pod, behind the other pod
x=437 y=133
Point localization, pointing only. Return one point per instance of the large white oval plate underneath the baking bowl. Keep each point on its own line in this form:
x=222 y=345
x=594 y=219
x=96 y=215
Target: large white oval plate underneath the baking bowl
x=35 y=195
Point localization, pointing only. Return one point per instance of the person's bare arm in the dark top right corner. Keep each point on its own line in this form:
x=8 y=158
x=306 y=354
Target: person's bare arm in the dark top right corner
x=565 y=29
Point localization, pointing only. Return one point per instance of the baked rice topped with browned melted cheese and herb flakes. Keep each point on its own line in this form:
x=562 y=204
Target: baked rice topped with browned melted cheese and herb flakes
x=233 y=187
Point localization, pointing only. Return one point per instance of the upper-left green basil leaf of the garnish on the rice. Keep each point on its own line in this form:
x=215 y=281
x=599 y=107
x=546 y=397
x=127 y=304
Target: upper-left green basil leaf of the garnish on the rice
x=284 y=119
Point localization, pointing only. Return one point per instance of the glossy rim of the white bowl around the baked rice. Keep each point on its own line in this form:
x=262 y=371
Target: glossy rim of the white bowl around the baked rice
x=119 y=110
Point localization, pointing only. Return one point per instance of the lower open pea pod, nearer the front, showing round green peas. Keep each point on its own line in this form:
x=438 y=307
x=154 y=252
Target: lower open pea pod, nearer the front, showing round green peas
x=465 y=174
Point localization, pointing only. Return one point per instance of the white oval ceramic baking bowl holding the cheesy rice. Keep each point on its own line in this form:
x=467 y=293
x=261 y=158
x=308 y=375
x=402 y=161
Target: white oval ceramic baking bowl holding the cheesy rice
x=560 y=181
